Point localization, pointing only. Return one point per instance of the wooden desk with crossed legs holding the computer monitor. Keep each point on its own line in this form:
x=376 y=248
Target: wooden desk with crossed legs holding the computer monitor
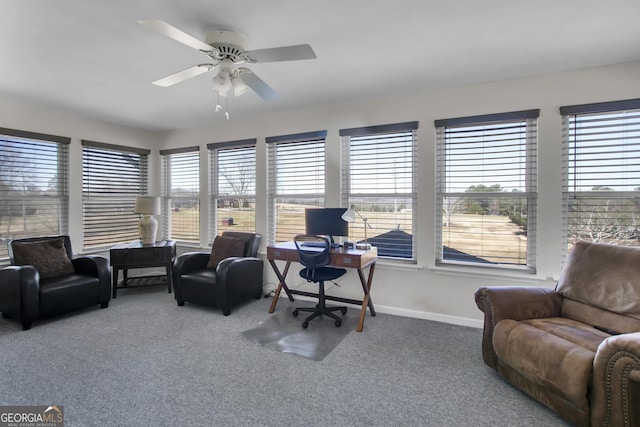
x=346 y=258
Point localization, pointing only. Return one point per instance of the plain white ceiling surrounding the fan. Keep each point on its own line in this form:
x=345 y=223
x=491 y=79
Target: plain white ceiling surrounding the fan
x=90 y=57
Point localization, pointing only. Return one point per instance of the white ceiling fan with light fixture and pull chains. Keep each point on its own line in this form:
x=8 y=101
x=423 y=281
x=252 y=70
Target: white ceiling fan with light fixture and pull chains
x=226 y=50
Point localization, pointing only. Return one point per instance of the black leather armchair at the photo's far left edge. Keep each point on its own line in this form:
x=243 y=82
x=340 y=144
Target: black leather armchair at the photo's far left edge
x=25 y=296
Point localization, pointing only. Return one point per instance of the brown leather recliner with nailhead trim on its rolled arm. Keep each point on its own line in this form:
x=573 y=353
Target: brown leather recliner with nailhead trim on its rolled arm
x=576 y=349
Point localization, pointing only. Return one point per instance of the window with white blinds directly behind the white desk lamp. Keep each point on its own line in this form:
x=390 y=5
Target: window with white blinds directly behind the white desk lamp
x=379 y=167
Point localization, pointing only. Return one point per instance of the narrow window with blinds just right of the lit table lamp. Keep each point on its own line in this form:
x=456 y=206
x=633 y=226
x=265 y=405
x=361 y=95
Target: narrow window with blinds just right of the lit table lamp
x=181 y=194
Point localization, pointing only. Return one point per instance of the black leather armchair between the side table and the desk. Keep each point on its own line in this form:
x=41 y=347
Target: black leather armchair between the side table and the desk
x=233 y=281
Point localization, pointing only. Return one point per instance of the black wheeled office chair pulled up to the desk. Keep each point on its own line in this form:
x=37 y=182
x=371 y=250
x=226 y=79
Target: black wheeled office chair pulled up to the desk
x=315 y=259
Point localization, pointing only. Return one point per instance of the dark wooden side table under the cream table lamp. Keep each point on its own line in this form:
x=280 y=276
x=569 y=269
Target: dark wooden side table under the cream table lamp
x=136 y=255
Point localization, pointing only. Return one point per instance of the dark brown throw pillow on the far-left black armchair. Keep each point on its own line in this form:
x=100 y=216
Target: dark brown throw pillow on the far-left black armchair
x=49 y=257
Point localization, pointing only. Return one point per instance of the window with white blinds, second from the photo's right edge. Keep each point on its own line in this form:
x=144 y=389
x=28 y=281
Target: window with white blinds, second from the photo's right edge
x=486 y=190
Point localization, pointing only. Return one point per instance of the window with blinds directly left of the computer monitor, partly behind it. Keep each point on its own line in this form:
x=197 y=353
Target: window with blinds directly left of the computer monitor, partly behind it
x=296 y=182
